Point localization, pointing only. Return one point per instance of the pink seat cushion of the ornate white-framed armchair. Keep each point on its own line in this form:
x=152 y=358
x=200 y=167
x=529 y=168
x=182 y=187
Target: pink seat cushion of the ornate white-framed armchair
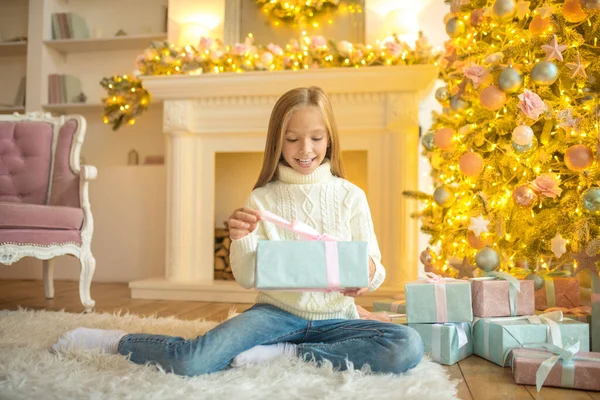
x=35 y=216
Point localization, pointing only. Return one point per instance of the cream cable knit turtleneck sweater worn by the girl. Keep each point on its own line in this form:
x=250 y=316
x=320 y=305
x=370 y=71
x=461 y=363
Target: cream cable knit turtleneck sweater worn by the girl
x=329 y=204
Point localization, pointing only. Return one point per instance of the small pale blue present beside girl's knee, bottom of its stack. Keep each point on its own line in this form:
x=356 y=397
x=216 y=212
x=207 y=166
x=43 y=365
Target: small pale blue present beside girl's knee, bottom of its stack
x=446 y=343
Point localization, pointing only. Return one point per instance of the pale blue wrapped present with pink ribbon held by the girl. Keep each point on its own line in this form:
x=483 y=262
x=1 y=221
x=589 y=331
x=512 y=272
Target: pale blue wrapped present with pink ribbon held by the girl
x=317 y=263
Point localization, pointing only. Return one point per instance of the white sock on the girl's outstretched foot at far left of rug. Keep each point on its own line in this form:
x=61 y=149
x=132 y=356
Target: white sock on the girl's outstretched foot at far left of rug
x=88 y=339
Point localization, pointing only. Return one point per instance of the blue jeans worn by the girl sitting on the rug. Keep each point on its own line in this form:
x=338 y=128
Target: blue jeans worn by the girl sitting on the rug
x=387 y=348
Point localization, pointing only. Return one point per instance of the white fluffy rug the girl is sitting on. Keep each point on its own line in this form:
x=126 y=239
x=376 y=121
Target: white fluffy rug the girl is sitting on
x=29 y=371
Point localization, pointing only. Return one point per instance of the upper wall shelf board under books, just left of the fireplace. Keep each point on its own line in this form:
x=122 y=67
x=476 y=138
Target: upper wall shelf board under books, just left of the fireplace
x=135 y=42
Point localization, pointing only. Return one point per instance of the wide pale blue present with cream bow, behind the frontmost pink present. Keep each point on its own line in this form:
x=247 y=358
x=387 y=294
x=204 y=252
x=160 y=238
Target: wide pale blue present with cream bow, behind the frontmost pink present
x=494 y=338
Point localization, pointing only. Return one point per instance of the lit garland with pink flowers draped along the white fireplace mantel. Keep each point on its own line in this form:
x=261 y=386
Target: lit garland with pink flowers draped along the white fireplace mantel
x=211 y=56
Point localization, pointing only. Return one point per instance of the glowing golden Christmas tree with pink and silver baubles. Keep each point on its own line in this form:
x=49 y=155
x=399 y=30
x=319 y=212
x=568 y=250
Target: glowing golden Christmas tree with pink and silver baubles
x=515 y=152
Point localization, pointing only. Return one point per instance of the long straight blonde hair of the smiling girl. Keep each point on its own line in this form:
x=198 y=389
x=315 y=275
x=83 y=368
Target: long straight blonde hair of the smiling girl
x=285 y=107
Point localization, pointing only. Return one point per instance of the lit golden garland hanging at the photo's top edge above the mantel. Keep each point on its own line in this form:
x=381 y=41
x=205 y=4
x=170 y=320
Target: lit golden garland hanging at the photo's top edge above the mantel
x=296 y=11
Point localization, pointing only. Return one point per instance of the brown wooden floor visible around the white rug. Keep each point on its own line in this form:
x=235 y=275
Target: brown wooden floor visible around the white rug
x=480 y=379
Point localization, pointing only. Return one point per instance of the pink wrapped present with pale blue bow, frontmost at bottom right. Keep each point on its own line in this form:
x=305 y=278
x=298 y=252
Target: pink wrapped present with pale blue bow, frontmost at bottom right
x=553 y=366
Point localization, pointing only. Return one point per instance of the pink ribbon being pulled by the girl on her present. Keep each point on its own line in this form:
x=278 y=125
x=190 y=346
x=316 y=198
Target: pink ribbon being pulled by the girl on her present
x=307 y=232
